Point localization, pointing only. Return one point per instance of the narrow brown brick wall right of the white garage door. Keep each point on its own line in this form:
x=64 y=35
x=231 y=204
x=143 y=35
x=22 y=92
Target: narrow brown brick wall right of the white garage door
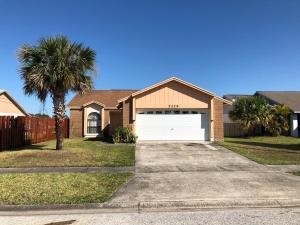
x=218 y=120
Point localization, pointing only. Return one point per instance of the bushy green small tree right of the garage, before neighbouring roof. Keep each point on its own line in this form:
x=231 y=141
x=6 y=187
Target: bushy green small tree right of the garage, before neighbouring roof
x=250 y=112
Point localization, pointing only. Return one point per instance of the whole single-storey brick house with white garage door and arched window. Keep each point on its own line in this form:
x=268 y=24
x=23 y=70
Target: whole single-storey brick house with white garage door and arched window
x=170 y=110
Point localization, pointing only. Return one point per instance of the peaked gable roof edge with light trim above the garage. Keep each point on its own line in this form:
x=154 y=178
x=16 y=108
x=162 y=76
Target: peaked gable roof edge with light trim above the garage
x=179 y=81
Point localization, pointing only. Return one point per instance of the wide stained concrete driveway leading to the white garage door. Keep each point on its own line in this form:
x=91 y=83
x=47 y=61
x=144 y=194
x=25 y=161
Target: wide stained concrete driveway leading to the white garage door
x=202 y=174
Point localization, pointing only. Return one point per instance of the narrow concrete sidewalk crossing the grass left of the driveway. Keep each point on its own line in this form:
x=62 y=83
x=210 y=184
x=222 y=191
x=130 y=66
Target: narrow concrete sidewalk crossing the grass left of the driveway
x=68 y=170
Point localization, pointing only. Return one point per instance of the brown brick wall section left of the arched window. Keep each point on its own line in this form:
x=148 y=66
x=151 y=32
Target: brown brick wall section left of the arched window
x=76 y=124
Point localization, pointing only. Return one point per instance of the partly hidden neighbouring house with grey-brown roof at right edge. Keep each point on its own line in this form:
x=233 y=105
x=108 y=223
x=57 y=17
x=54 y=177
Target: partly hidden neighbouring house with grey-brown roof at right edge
x=289 y=98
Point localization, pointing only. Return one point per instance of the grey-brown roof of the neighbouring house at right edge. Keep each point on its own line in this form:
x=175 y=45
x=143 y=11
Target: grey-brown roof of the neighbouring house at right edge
x=289 y=98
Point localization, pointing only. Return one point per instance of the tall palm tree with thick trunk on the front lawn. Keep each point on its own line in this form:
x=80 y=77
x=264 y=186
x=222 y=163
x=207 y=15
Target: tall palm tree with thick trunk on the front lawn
x=53 y=68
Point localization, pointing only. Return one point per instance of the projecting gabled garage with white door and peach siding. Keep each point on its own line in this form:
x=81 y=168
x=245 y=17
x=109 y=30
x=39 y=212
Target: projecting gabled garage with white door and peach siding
x=173 y=110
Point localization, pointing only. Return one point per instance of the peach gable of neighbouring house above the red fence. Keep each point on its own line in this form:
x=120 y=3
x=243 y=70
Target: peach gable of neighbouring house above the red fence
x=9 y=106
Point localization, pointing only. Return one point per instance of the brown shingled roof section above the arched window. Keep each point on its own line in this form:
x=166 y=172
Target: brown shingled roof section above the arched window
x=109 y=98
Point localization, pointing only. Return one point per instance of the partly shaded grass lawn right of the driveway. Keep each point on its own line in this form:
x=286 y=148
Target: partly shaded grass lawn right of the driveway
x=266 y=150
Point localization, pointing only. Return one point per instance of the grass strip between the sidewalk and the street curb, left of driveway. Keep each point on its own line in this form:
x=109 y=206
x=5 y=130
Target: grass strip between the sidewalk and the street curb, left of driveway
x=59 y=188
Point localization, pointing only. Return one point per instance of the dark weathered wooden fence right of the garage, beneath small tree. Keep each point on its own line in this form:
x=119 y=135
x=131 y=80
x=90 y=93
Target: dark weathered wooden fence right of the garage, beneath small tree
x=236 y=130
